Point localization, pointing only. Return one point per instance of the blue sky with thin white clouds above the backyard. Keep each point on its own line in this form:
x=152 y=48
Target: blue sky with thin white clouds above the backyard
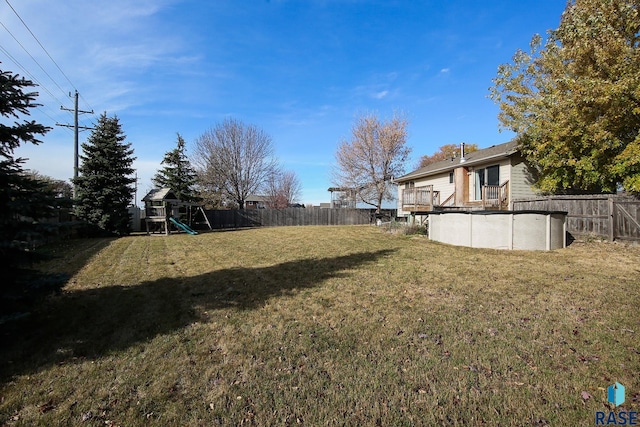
x=300 y=70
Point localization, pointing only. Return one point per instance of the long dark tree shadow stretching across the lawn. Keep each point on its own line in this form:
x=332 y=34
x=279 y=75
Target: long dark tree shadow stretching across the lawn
x=91 y=323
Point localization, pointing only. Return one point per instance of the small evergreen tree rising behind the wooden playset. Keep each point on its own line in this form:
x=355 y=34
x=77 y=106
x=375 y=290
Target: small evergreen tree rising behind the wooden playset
x=178 y=174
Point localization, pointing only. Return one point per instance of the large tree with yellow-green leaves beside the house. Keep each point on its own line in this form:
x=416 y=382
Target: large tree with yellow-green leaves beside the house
x=574 y=100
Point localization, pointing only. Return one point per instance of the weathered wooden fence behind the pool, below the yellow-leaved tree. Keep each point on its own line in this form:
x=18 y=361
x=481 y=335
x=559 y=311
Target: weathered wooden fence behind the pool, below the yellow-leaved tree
x=609 y=216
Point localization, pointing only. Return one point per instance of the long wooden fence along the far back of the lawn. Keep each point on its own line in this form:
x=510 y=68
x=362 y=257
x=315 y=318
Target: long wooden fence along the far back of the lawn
x=293 y=216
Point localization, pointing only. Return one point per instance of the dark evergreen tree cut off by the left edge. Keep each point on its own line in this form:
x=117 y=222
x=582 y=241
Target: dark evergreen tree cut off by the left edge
x=20 y=196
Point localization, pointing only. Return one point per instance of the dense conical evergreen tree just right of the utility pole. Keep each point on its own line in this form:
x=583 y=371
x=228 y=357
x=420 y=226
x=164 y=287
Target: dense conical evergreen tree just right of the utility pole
x=104 y=186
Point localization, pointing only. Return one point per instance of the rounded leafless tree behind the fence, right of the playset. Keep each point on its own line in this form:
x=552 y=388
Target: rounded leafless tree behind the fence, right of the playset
x=235 y=158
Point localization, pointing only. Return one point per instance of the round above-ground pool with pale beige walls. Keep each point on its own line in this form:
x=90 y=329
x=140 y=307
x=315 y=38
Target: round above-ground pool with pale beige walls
x=526 y=230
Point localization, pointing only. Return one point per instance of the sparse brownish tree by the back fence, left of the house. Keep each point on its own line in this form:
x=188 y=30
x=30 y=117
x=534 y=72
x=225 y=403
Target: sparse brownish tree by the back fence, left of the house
x=375 y=154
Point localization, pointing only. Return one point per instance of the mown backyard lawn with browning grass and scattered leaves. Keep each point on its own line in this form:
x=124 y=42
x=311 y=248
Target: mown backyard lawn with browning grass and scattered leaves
x=323 y=326
